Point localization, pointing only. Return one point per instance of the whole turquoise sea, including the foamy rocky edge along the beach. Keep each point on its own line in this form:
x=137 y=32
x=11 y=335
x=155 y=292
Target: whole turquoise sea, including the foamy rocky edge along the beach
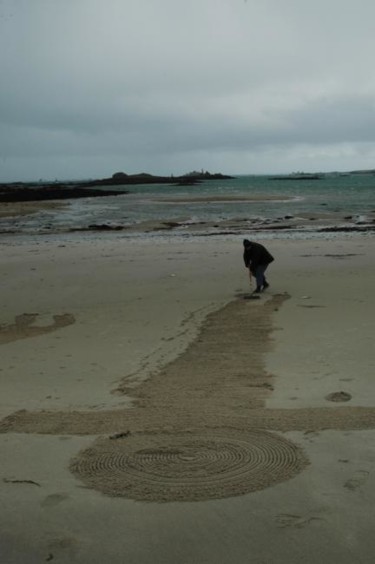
x=295 y=206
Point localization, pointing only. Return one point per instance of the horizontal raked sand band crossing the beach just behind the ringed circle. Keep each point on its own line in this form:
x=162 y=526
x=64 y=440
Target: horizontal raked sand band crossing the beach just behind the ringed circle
x=128 y=421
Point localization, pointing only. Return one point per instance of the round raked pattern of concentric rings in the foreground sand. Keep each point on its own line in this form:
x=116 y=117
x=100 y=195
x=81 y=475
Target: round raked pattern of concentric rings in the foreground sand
x=194 y=466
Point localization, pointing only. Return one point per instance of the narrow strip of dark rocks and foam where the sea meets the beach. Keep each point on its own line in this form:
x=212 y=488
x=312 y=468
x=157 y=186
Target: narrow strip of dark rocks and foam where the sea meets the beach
x=300 y=227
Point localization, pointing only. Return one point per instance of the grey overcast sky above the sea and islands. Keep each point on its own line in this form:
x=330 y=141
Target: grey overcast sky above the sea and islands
x=92 y=87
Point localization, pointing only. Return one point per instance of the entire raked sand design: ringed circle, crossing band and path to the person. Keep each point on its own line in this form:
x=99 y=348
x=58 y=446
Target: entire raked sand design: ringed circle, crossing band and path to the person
x=198 y=429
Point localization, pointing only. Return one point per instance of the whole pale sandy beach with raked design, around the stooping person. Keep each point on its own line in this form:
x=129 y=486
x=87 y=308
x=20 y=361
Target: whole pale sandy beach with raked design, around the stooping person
x=151 y=413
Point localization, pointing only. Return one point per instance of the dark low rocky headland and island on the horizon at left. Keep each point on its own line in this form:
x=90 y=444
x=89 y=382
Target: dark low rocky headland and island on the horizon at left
x=41 y=191
